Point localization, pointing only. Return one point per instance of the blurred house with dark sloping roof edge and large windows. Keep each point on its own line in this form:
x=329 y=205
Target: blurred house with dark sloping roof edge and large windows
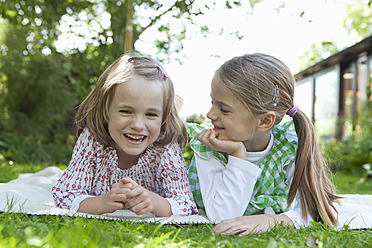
x=334 y=91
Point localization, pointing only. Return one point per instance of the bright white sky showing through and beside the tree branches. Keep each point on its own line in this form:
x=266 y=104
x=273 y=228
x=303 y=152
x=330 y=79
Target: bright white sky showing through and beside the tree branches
x=286 y=34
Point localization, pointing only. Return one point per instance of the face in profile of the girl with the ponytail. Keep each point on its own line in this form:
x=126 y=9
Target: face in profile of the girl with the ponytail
x=230 y=117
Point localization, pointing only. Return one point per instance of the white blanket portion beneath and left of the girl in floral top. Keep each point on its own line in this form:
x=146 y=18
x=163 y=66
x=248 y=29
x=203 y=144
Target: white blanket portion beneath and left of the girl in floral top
x=30 y=193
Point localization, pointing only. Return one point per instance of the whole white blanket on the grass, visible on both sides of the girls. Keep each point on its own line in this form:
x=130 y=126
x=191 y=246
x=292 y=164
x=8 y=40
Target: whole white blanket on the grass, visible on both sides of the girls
x=30 y=193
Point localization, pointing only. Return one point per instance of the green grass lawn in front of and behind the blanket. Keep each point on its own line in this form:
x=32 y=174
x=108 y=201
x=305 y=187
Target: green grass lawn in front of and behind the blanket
x=22 y=230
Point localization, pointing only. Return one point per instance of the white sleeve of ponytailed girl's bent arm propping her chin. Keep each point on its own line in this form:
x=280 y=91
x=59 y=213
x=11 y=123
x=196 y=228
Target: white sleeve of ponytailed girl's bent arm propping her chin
x=226 y=191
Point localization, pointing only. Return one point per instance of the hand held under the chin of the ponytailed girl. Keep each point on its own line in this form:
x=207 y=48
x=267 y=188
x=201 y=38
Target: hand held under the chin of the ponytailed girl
x=234 y=148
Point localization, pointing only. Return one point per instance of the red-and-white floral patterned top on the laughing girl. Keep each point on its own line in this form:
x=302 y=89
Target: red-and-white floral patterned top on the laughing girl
x=93 y=170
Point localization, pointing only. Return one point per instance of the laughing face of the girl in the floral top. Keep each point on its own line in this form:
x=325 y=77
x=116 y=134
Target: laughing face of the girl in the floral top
x=135 y=116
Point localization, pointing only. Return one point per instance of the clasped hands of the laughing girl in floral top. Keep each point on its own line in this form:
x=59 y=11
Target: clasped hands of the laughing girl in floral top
x=129 y=195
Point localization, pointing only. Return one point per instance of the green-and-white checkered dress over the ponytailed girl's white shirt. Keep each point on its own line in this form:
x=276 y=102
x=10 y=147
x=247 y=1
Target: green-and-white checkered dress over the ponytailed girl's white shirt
x=271 y=188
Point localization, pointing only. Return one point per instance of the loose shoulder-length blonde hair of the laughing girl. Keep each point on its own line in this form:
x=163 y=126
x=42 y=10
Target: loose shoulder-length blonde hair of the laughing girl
x=93 y=111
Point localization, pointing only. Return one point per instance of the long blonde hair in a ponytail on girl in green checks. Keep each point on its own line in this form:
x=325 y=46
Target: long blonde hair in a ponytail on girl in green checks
x=252 y=79
